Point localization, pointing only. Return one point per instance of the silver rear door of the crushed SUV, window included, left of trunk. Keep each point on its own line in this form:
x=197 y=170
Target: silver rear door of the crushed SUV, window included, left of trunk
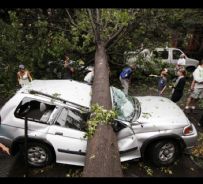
x=67 y=137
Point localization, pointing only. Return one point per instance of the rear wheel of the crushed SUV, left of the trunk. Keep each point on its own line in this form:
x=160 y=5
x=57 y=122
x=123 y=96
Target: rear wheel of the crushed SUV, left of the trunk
x=39 y=155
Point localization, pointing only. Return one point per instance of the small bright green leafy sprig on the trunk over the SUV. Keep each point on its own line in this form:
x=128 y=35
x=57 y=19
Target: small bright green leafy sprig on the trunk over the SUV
x=99 y=116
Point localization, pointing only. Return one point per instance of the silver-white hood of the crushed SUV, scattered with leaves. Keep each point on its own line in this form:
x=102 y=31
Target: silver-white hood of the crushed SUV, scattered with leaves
x=160 y=110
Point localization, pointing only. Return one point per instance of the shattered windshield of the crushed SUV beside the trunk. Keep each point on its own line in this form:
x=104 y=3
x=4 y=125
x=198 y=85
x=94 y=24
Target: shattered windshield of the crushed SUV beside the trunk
x=124 y=105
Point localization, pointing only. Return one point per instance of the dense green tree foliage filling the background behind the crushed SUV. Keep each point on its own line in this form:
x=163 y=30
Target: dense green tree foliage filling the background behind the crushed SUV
x=35 y=37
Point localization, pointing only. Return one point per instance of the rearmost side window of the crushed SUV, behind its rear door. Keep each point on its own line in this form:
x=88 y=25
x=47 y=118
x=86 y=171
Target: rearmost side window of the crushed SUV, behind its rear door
x=35 y=110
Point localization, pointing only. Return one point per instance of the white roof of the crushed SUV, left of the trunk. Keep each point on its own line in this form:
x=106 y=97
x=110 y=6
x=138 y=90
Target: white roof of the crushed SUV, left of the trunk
x=69 y=90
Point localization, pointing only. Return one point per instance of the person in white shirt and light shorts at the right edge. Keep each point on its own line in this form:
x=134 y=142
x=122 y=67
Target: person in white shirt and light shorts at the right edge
x=196 y=87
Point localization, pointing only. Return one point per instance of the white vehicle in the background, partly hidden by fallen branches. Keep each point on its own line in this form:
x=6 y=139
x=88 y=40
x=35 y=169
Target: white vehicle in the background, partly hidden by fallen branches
x=168 y=55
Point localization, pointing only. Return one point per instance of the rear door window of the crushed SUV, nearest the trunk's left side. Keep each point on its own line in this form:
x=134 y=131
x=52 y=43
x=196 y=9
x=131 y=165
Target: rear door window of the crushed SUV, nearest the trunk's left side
x=71 y=118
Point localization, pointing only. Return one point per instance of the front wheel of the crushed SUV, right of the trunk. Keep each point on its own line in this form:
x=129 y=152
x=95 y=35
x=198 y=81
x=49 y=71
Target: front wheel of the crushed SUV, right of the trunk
x=163 y=153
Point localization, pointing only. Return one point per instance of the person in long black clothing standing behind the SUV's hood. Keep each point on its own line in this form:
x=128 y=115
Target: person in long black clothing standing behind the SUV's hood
x=179 y=85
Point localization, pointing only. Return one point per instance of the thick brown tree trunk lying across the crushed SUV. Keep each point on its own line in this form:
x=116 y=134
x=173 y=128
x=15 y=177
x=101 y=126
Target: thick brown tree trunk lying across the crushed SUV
x=102 y=157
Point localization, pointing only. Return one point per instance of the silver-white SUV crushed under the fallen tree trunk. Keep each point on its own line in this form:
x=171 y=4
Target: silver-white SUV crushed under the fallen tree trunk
x=57 y=110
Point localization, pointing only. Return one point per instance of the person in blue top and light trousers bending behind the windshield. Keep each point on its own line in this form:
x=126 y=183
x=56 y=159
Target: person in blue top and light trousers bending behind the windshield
x=125 y=77
